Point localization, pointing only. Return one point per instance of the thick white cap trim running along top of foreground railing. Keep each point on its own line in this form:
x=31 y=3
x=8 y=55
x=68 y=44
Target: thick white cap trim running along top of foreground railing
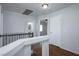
x=14 y=47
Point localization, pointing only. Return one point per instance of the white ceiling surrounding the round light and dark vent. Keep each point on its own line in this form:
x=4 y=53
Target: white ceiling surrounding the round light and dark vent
x=36 y=7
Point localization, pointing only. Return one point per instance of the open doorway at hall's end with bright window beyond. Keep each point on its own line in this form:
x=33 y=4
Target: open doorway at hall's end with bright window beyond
x=43 y=27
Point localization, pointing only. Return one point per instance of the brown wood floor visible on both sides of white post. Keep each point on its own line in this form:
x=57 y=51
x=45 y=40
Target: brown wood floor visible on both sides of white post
x=53 y=51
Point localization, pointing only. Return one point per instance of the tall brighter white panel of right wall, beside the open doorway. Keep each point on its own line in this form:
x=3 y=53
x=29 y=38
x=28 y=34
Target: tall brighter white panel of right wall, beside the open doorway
x=55 y=29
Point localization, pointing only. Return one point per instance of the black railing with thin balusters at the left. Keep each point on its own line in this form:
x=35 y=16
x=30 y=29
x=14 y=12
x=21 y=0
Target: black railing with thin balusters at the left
x=9 y=38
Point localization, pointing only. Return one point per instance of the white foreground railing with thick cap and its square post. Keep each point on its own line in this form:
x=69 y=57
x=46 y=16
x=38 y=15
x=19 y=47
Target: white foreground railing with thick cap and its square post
x=23 y=47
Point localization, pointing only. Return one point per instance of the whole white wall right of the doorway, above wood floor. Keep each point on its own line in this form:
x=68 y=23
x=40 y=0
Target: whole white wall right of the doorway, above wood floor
x=64 y=28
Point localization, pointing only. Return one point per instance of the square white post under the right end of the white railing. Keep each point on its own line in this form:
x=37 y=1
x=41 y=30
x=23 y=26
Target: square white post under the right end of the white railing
x=45 y=48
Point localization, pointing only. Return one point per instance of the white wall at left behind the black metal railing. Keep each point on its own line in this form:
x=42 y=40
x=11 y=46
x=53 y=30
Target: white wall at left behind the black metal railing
x=16 y=23
